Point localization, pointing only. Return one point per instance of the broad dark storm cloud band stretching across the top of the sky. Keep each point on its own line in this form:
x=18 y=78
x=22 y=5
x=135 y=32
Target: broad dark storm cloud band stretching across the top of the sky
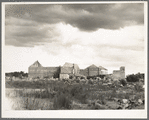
x=85 y=17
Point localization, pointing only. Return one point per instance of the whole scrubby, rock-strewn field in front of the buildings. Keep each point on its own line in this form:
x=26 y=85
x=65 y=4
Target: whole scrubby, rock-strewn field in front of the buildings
x=74 y=94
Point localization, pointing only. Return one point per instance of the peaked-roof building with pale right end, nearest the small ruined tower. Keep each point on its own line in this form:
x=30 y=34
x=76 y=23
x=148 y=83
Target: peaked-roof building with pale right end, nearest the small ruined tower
x=94 y=71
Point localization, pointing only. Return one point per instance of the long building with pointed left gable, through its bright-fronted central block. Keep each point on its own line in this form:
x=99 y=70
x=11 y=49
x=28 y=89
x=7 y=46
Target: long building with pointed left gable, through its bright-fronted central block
x=37 y=70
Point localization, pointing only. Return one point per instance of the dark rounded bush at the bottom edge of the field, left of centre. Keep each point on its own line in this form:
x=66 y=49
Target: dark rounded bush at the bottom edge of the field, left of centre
x=62 y=102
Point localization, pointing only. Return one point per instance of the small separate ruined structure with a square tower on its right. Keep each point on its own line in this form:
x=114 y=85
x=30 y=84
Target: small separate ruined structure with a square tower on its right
x=119 y=74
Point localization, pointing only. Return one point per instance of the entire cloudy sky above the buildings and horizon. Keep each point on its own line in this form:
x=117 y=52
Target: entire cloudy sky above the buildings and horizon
x=108 y=35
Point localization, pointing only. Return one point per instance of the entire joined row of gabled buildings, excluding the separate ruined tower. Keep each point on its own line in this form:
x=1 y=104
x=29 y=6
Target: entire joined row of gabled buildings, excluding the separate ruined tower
x=37 y=70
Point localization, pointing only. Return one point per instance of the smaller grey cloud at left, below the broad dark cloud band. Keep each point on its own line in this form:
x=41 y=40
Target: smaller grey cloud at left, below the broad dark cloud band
x=29 y=36
